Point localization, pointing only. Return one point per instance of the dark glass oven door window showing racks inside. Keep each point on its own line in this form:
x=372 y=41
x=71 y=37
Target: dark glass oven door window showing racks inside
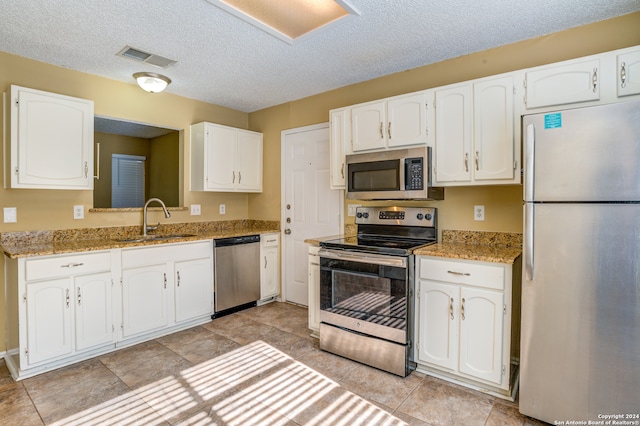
x=368 y=292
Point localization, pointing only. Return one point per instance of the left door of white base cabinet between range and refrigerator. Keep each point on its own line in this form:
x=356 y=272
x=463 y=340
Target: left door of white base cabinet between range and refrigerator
x=437 y=327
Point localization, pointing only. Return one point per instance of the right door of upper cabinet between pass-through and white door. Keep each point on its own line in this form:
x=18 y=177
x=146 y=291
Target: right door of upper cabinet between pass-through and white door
x=249 y=160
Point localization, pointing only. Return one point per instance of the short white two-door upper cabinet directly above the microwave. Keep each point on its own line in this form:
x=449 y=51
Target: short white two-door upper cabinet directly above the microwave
x=389 y=123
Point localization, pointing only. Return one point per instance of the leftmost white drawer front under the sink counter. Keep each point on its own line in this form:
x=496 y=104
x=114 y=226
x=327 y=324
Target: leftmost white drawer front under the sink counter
x=64 y=266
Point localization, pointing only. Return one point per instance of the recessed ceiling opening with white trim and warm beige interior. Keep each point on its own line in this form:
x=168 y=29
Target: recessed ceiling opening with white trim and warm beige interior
x=288 y=20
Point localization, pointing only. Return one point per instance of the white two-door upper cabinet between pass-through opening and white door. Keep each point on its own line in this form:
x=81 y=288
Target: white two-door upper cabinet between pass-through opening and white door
x=225 y=159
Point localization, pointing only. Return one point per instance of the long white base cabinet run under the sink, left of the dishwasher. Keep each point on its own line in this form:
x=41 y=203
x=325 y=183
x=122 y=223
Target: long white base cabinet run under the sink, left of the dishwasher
x=66 y=308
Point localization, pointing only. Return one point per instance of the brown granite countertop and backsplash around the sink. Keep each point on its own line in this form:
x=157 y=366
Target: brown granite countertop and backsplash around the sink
x=41 y=243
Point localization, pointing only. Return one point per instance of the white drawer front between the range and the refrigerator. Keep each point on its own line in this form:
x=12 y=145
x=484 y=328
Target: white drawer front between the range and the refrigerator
x=462 y=272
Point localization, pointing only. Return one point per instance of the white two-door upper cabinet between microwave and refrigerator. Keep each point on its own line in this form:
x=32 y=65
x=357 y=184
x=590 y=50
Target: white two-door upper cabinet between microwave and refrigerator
x=475 y=138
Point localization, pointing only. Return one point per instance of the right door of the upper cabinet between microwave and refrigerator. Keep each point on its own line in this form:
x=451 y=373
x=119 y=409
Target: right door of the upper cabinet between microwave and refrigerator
x=493 y=129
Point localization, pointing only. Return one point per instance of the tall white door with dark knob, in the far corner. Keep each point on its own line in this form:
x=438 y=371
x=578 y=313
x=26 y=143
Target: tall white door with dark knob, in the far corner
x=310 y=208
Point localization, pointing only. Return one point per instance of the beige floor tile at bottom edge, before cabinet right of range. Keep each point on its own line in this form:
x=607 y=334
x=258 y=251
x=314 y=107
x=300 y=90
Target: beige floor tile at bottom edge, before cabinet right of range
x=440 y=403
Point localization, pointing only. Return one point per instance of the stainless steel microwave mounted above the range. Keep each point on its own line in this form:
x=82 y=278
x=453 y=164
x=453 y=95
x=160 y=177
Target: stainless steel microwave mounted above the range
x=399 y=174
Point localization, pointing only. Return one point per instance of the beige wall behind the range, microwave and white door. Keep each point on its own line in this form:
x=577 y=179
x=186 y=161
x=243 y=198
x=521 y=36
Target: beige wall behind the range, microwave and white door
x=503 y=204
